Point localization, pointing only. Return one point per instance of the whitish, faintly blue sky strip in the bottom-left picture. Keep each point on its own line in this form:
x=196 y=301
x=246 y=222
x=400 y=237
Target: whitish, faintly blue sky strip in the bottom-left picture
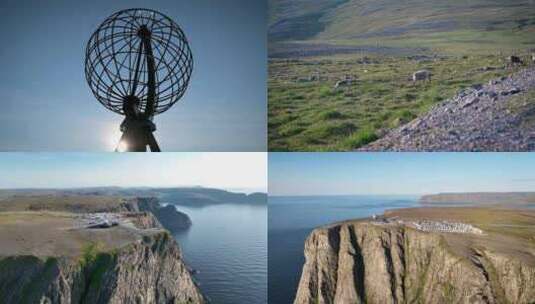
x=232 y=171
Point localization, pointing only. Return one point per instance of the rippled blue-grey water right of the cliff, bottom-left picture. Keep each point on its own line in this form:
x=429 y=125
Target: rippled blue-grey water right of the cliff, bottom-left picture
x=228 y=245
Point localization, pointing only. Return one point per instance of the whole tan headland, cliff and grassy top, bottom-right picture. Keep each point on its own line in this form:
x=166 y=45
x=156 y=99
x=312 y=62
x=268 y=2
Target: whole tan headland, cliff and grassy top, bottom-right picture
x=364 y=261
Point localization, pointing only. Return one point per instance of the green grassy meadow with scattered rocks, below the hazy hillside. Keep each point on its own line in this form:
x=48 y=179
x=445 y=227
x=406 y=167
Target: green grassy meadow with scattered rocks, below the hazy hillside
x=313 y=116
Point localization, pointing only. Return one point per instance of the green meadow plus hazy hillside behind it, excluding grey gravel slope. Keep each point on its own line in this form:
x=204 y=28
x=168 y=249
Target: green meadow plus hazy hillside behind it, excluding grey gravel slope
x=341 y=73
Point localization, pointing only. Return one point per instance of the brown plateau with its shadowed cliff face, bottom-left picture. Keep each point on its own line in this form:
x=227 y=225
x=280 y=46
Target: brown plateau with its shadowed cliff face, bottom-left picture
x=133 y=262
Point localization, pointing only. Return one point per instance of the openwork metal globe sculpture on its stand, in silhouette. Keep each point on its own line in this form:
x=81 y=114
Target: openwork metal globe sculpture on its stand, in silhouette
x=138 y=63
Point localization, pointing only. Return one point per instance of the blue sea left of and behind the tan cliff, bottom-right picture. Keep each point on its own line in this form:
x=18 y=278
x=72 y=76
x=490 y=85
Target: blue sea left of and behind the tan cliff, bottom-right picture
x=291 y=219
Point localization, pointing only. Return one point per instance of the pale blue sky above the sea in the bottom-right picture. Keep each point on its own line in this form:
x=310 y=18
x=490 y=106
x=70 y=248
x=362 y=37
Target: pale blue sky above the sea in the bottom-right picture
x=399 y=173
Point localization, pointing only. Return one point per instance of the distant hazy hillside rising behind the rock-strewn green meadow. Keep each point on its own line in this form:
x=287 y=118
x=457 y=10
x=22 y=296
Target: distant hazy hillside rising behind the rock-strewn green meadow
x=453 y=24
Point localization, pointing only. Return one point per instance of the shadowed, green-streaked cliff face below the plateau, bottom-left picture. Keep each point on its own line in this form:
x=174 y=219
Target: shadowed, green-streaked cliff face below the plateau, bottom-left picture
x=148 y=271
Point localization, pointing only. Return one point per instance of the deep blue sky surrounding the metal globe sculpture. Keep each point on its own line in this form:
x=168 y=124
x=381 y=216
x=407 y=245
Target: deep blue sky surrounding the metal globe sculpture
x=46 y=105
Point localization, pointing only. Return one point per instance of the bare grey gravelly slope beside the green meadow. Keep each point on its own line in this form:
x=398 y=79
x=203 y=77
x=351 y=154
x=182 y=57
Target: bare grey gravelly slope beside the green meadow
x=498 y=116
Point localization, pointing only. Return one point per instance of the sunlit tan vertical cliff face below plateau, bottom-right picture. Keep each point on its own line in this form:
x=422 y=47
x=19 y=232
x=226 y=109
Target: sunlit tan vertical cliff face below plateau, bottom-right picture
x=358 y=262
